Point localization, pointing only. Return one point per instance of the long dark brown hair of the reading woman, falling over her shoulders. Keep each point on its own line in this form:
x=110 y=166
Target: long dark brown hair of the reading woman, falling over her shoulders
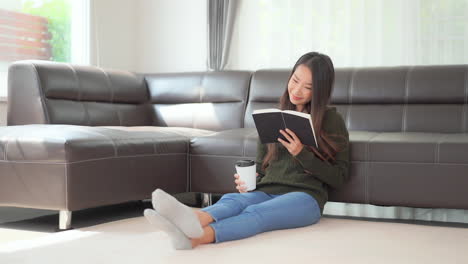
x=323 y=77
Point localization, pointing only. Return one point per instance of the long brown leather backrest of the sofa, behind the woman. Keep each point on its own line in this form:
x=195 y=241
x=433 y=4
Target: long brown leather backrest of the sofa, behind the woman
x=391 y=99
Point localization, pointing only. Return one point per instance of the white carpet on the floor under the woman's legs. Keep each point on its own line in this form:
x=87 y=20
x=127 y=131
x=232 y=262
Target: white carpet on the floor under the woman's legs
x=329 y=241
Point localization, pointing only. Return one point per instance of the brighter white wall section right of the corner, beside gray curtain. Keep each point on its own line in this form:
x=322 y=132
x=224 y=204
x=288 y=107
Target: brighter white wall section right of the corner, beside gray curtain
x=171 y=35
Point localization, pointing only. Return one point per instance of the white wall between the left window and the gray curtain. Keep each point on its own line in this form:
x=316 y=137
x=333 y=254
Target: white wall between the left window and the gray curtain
x=149 y=35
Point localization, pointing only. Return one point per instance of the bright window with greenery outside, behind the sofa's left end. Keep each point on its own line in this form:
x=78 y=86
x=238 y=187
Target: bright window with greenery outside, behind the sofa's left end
x=56 y=30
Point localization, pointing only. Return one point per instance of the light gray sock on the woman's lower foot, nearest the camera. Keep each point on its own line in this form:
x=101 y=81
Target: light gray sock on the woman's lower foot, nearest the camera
x=178 y=239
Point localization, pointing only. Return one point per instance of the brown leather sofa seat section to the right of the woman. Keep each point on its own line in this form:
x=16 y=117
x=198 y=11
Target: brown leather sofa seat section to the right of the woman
x=420 y=167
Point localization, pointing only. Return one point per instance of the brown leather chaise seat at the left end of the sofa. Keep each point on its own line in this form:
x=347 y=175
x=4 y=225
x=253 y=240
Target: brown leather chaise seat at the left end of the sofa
x=63 y=167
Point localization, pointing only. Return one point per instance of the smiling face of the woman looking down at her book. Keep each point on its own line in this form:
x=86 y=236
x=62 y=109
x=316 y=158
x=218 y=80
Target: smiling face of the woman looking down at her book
x=300 y=87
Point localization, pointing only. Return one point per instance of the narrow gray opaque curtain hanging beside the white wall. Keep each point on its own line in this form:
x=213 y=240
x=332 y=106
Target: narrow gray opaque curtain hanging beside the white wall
x=221 y=15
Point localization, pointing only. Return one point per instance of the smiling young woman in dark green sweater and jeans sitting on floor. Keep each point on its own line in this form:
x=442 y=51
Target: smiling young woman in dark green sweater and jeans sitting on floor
x=293 y=179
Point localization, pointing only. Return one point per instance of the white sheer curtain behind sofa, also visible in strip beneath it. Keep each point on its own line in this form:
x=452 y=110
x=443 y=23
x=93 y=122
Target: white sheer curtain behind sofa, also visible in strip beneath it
x=273 y=34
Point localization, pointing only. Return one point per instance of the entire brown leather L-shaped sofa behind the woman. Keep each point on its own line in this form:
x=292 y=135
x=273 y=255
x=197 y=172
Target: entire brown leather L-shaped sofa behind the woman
x=81 y=136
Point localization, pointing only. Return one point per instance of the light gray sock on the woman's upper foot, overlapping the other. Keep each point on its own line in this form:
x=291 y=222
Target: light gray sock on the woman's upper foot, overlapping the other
x=178 y=213
